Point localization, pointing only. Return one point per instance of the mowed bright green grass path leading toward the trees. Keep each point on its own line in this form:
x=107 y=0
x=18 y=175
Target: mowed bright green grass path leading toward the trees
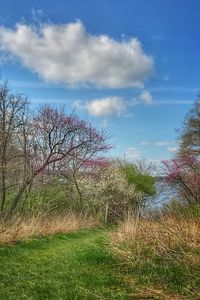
x=71 y=266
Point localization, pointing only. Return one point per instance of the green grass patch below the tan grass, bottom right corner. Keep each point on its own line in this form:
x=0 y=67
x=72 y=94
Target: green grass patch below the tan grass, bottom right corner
x=169 y=275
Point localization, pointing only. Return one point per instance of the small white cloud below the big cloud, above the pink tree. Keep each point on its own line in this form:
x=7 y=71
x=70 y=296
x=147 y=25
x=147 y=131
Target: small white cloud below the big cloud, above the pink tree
x=103 y=107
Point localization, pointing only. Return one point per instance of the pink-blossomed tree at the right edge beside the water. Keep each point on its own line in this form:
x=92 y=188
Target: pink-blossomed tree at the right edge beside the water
x=183 y=173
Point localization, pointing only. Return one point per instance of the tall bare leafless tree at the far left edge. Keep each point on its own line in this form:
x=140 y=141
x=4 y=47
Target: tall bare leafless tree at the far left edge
x=12 y=108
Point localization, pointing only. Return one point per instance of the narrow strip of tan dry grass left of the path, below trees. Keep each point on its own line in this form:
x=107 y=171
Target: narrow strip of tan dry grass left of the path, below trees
x=41 y=225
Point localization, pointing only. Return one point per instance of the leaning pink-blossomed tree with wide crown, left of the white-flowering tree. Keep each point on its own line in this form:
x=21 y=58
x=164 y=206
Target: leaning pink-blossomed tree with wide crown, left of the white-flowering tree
x=56 y=141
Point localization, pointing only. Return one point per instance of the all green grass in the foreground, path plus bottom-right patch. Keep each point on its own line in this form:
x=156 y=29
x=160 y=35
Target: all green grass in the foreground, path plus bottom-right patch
x=79 y=266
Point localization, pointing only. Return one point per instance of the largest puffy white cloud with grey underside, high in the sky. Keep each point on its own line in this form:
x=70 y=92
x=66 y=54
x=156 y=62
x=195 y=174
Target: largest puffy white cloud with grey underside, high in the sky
x=68 y=54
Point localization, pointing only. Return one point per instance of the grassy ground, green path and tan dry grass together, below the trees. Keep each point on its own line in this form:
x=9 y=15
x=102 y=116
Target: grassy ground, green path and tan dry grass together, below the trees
x=134 y=260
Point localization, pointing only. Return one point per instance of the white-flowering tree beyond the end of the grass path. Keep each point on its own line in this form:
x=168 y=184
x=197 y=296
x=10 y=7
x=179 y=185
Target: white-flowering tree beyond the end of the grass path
x=107 y=192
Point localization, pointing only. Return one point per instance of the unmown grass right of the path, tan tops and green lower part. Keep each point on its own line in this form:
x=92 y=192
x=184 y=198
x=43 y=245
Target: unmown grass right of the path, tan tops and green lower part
x=162 y=256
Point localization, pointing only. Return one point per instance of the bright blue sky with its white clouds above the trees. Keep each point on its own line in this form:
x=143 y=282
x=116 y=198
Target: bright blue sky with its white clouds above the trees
x=131 y=67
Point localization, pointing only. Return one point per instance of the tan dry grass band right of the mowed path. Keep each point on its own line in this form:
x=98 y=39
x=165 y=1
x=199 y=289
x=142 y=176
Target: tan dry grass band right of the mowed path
x=164 y=237
